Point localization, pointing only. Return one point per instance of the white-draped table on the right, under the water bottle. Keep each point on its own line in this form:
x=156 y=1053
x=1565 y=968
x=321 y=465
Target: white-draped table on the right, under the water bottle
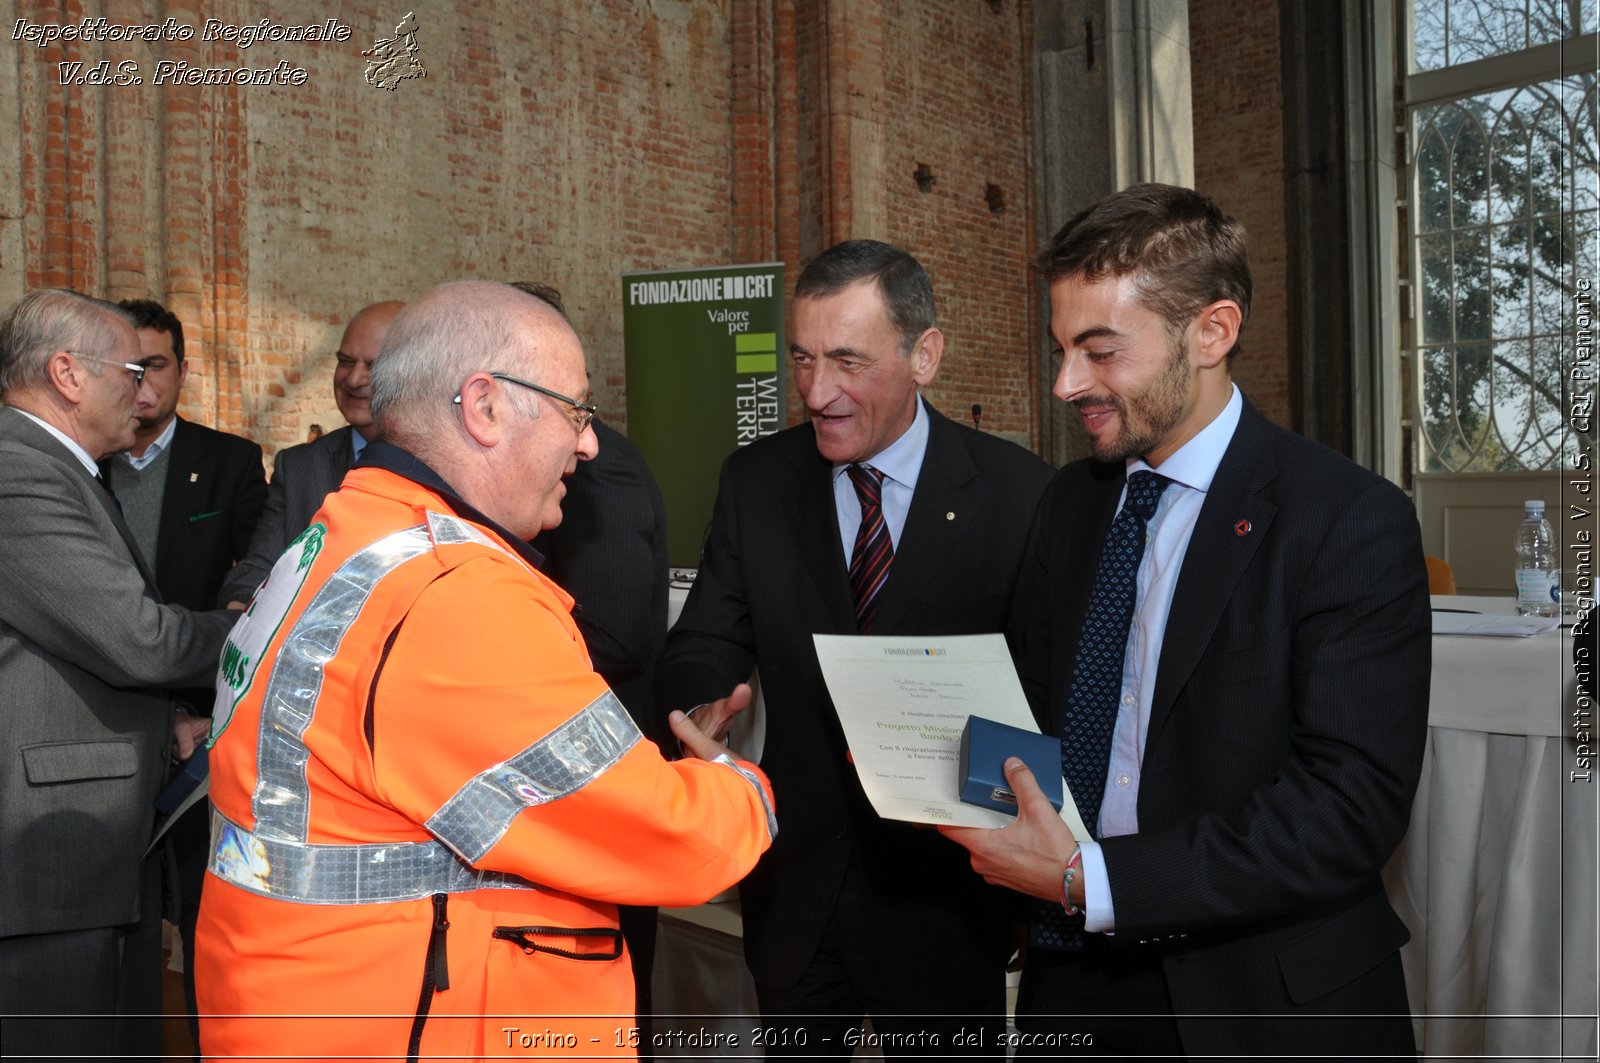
x=1497 y=876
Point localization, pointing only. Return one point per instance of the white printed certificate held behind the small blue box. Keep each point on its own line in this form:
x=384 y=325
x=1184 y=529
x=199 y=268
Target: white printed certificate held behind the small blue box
x=903 y=704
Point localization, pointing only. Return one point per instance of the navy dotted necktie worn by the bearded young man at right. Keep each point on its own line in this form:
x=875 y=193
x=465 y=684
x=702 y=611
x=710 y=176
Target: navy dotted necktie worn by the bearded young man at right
x=1097 y=678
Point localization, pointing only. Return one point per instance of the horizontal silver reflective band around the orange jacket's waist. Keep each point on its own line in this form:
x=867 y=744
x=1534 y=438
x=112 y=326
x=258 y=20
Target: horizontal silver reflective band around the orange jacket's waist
x=345 y=875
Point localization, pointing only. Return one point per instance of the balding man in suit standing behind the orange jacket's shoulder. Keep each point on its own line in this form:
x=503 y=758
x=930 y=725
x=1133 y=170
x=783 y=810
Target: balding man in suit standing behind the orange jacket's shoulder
x=305 y=475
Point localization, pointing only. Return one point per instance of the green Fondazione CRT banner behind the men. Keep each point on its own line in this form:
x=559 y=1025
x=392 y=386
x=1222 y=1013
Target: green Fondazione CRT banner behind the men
x=705 y=375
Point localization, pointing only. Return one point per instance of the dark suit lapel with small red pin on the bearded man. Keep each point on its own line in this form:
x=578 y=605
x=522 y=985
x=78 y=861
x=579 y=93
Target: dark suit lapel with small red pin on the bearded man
x=1217 y=560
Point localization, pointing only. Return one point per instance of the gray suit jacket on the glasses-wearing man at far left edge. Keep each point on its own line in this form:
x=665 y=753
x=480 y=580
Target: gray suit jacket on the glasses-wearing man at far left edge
x=86 y=649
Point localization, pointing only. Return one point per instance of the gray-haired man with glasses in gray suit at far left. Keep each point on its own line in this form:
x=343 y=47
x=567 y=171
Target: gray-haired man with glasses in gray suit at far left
x=86 y=649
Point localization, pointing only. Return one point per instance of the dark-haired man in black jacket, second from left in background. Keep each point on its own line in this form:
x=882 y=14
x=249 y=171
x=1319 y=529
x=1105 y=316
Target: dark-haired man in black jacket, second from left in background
x=193 y=497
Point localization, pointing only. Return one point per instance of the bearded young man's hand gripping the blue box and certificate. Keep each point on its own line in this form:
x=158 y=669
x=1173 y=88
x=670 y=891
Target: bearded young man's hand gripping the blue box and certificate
x=1028 y=856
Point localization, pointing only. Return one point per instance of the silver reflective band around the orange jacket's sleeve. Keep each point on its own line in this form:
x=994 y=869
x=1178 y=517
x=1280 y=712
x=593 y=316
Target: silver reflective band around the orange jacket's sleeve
x=567 y=760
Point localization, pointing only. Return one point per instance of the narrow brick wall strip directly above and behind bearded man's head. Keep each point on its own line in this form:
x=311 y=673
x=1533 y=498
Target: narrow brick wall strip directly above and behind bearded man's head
x=1239 y=162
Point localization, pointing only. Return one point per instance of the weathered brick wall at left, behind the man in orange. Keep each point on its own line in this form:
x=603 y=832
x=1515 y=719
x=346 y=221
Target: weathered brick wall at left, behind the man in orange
x=561 y=143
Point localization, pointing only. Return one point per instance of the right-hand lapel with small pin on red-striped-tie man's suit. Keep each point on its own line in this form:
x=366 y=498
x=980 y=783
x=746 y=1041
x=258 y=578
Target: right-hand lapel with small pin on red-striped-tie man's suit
x=942 y=508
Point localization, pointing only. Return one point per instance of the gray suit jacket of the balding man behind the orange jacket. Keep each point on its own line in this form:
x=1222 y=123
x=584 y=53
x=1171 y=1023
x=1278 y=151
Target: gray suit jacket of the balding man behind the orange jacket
x=302 y=478
